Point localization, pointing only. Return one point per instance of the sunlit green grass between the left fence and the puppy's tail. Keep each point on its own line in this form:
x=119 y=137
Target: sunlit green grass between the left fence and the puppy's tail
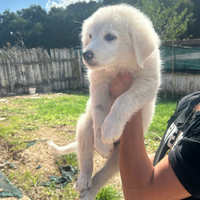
x=24 y=115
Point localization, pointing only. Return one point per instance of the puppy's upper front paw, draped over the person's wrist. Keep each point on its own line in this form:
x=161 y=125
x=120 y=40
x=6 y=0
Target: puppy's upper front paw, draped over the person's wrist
x=111 y=131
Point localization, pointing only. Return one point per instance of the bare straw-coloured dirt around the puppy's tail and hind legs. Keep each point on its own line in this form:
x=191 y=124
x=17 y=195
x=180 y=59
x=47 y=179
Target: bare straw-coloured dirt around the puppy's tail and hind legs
x=41 y=154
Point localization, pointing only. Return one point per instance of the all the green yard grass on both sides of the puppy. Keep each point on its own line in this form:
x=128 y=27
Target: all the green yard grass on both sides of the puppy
x=57 y=115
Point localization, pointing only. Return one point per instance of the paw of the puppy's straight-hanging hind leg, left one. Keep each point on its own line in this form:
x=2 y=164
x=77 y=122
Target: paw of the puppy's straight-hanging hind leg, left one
x=83 y=183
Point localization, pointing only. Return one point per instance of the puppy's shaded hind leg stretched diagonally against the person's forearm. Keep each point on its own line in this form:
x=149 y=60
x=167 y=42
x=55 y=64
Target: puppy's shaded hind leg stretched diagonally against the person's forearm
x=110 y=169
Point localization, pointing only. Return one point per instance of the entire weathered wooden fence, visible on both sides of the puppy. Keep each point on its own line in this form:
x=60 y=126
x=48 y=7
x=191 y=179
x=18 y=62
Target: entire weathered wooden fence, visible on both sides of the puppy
x=62 y=70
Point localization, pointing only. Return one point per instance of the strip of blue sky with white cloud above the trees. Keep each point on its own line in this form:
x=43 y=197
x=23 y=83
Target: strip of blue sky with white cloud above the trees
x=14 y=5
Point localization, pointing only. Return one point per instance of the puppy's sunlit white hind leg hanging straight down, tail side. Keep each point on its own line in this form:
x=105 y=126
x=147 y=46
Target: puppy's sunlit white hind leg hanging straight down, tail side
x=85 y=139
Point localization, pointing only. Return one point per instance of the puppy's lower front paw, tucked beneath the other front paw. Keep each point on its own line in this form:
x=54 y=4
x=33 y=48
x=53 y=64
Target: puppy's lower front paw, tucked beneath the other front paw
x=103 y=149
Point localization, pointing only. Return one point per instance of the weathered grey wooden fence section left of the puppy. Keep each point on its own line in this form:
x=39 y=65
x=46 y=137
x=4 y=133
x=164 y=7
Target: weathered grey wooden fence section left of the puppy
x=21 y=69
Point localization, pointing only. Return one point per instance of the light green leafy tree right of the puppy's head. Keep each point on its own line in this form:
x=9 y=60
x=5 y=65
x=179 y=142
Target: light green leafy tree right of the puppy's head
x=170 y=18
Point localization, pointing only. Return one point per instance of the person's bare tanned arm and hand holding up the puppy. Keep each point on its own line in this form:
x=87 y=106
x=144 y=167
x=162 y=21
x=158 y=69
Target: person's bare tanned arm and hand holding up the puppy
x=140 y=179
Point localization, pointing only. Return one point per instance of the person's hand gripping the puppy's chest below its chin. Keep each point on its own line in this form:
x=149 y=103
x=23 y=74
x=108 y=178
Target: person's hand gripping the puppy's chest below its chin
x=120 y=84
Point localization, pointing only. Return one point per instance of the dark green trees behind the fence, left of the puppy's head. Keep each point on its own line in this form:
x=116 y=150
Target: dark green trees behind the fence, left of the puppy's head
x=57 y=29
